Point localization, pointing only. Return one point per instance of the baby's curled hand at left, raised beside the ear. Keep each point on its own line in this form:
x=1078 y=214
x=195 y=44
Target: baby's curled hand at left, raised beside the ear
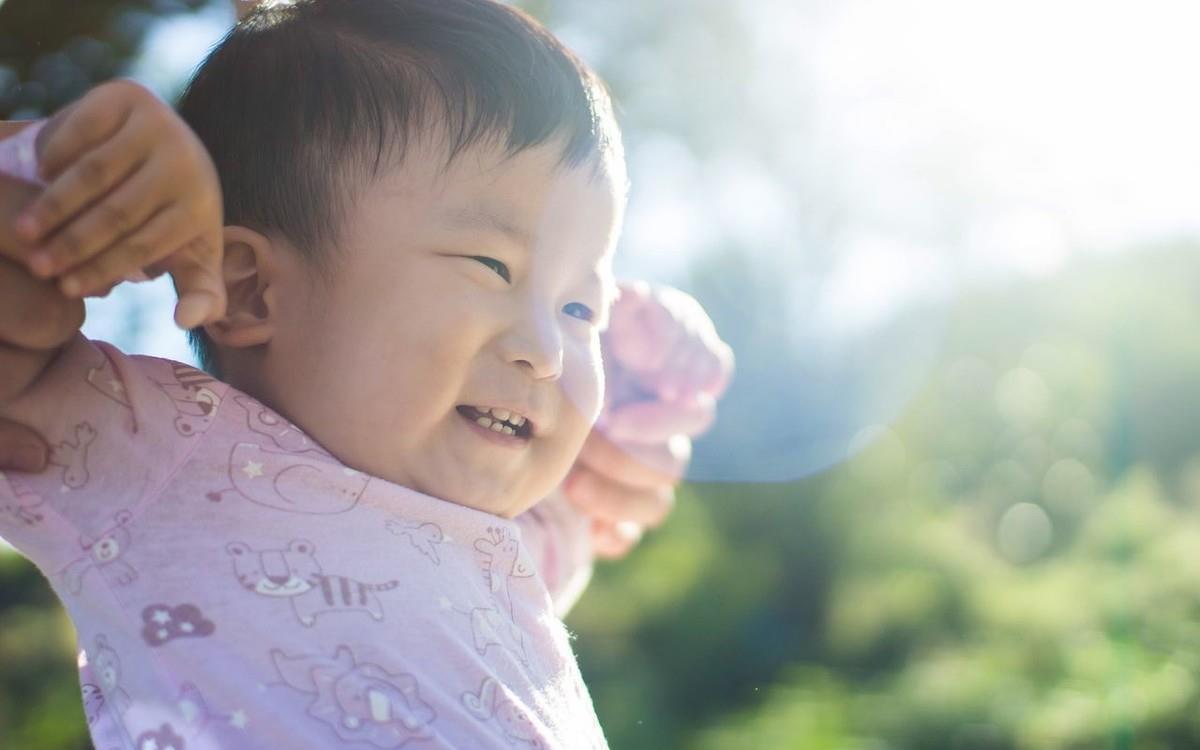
x=130 y=188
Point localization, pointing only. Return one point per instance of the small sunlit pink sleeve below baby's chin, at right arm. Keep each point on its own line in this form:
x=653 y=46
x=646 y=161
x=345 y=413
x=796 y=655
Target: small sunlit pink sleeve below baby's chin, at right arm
x=560 y=539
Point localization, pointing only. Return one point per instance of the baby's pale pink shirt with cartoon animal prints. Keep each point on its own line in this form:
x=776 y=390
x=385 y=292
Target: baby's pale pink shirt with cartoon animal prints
x=236 y=586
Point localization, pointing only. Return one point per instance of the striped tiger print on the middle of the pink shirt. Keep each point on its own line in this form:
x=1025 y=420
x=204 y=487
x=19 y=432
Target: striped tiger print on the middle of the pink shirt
x=293 y=574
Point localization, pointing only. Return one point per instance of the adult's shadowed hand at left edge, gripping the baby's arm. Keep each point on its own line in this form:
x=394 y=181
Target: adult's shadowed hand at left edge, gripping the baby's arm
x=34 y=317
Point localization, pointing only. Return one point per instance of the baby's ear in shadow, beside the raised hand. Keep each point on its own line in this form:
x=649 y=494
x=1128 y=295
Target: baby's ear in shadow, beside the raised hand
x=248 y=268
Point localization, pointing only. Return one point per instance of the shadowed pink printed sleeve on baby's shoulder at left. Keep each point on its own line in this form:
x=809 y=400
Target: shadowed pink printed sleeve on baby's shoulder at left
x=118 y=428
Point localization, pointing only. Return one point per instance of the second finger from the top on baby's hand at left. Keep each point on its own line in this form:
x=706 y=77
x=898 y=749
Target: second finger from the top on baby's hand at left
x=93 y=176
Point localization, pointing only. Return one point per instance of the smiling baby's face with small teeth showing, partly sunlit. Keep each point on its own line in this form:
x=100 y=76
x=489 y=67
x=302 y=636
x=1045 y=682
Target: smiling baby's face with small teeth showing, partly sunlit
x=405 y=361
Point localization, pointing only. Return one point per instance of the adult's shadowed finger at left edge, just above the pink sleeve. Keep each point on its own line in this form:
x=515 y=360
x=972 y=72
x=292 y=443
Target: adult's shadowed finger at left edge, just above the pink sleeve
x=34 y=315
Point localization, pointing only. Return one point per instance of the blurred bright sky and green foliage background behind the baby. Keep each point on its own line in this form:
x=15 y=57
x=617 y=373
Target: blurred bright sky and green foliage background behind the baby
x=953 y=496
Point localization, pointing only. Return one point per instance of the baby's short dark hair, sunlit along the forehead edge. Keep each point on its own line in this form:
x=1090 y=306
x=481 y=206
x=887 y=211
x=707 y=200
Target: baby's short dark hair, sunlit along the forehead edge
x=302 y=101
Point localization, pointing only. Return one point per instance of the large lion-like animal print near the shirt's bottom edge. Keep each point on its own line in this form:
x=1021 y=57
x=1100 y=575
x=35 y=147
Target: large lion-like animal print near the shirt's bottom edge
x=359 y=701
